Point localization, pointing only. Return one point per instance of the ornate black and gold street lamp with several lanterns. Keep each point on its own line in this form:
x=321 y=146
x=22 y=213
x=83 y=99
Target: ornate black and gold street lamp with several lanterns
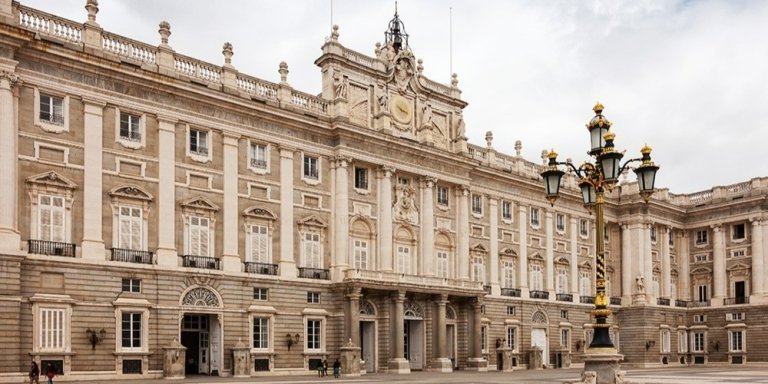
x=595 y=179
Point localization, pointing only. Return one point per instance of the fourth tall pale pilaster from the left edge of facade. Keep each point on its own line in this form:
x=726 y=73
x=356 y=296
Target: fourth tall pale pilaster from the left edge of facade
x=230 y=256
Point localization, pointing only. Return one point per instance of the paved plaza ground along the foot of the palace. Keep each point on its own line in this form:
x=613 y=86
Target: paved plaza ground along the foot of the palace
x=648 y=375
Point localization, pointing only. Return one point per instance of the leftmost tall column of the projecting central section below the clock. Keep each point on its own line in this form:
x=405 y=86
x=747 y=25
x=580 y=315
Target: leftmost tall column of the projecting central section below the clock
x=340 y=259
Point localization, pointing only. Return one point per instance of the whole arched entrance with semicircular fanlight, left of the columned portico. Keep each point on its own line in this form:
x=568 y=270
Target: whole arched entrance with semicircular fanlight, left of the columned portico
x=201 y=330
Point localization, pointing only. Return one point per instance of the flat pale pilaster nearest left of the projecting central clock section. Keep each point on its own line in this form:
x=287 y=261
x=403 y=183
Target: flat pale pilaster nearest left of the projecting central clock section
x=287 y=259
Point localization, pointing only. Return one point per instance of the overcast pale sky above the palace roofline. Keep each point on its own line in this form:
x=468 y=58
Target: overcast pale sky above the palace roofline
x=690 y=78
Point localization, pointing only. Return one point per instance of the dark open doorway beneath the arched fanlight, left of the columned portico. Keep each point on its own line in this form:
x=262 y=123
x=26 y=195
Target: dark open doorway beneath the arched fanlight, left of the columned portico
x=200 y=335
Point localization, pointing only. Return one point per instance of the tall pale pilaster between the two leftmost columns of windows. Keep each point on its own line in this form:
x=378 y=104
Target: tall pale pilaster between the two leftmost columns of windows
x=93 y=244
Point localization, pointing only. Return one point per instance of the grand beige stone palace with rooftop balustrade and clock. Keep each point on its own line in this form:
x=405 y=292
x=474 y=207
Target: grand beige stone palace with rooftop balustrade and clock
x=148 y=197
